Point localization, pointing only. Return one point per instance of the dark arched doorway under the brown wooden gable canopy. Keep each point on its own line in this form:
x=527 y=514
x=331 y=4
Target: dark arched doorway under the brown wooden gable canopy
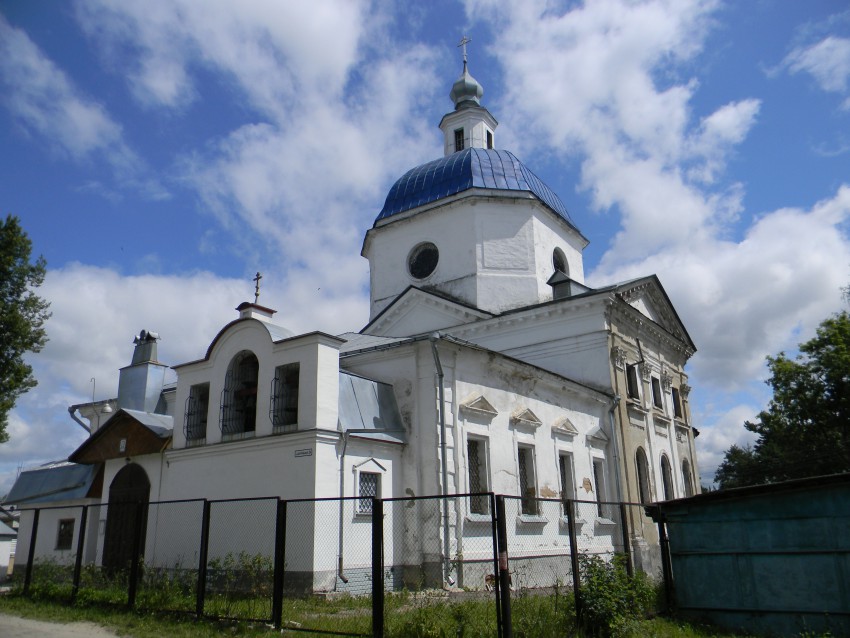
x=128 y=511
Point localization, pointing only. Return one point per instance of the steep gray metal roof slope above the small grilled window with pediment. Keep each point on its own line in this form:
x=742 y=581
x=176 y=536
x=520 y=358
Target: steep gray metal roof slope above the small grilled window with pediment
x=368 y=409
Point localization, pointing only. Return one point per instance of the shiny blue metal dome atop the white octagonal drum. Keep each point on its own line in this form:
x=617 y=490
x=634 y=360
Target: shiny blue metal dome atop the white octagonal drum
x=469 y=168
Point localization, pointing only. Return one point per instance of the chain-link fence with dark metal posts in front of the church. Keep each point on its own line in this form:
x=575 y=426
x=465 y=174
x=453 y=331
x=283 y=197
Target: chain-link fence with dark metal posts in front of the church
x=322 y=564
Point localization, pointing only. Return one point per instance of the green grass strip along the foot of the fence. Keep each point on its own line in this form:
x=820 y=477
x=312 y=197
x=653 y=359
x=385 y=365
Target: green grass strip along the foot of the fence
x=407 y=616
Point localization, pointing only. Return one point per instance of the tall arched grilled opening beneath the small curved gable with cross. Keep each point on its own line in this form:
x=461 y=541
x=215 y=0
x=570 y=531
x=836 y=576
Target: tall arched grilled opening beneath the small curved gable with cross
x=239 y=397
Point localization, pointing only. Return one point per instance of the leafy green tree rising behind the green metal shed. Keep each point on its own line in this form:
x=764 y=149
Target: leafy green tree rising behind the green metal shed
x=805 y=430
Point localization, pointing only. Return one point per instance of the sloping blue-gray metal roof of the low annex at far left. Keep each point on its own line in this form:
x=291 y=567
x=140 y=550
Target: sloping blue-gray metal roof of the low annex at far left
x=59 y=482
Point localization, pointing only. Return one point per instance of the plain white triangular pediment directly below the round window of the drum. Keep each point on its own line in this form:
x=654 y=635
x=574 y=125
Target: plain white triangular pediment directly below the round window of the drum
x=417 y=311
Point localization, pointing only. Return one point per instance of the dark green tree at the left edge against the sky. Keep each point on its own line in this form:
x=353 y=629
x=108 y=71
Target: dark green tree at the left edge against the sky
x=22 y=315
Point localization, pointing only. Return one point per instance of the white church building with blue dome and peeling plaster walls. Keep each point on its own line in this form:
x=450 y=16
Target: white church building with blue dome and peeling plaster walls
x=487 y=365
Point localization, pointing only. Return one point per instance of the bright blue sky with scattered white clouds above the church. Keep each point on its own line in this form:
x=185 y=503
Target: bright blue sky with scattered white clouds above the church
x=161 y=153
